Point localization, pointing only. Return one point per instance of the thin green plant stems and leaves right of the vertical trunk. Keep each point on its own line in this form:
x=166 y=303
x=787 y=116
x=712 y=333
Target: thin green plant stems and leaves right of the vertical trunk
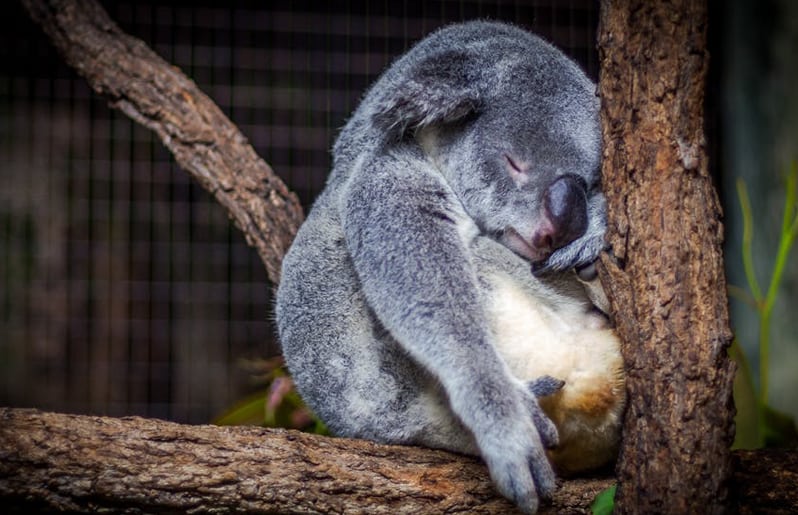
x=758 y=424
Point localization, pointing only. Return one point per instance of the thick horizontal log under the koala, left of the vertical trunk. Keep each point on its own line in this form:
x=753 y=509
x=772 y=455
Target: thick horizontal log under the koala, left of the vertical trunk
x=80 y=463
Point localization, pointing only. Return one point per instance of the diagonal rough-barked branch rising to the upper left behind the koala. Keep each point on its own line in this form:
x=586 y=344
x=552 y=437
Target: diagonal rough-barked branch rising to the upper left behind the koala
x=159 y=96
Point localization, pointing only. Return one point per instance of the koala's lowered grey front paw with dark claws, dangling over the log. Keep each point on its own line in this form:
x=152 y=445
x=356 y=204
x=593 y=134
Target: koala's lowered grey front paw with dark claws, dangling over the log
x=516 y=457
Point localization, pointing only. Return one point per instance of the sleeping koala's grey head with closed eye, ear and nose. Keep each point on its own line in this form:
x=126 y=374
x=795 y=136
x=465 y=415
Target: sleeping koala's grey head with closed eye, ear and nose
x=512 y=124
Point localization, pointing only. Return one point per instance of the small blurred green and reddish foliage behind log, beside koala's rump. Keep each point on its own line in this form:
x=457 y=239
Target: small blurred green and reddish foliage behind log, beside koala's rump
x=278 y=405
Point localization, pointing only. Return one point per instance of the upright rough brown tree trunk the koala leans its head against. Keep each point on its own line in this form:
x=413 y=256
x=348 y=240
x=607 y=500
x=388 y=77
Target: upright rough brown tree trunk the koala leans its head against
x=666 y=284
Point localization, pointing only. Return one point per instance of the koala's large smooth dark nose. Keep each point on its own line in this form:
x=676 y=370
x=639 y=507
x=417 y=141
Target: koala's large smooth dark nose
x=566 y=209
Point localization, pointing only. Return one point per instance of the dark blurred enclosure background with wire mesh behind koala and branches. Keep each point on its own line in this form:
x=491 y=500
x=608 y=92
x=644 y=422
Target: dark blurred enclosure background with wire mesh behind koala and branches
x=124 y=288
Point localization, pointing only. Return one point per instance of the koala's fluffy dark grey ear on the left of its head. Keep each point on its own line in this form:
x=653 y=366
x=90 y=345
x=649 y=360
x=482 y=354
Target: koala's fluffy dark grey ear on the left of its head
x=437 y=89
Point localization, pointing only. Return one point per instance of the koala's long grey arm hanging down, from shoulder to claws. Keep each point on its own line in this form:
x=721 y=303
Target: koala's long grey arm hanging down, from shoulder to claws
x=406 y=235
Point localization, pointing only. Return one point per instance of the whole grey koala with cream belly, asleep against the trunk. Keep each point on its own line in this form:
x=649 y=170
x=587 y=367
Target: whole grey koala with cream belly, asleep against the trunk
x=431 y=297
